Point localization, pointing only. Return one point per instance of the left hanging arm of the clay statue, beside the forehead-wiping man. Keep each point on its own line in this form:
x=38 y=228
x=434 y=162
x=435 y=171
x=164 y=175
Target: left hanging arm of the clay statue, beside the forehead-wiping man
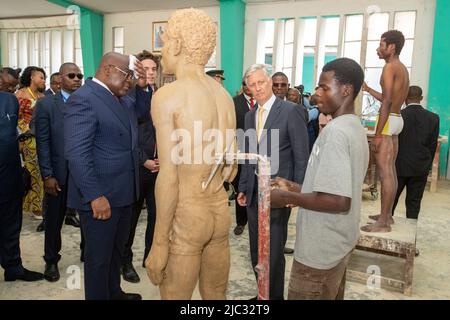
x=166 y=190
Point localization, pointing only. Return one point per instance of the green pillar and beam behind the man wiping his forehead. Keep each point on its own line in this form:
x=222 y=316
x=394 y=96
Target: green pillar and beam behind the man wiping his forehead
x=91 y=34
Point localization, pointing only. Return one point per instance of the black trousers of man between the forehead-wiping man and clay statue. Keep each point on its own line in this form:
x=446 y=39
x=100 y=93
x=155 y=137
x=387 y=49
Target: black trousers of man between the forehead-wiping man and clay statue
x=147 y=193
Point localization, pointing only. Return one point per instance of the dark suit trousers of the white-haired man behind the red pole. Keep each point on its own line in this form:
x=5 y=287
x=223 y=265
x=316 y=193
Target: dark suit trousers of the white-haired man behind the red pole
x=279 y=219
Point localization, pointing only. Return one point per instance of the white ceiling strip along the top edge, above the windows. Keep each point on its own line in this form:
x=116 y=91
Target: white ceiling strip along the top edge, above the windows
x=39 y=8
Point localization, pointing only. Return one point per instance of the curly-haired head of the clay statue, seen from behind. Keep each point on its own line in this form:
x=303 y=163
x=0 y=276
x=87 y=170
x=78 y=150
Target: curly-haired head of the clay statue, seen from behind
x=190 y=38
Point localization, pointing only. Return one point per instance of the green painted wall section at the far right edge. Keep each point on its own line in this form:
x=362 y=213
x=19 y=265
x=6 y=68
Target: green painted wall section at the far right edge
x=438 y=87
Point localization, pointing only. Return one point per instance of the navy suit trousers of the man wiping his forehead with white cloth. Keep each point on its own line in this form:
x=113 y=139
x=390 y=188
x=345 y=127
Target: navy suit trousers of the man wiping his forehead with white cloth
x=105 y=243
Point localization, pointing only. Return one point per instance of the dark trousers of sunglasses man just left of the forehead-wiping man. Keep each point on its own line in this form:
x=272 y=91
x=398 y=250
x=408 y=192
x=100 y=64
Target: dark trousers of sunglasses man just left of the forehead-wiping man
x=56 y=209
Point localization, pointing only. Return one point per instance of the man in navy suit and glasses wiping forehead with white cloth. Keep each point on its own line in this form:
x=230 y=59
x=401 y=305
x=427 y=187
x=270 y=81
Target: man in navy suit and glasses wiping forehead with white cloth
x=100 y=143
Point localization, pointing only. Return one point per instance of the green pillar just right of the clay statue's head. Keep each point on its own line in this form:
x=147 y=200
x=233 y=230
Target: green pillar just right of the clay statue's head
x=232 y=31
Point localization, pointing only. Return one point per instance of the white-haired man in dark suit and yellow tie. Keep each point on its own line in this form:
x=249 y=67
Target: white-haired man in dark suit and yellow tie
x=280 y=134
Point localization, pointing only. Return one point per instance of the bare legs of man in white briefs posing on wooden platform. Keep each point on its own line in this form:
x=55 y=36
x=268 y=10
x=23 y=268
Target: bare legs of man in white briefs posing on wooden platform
x=385 y=159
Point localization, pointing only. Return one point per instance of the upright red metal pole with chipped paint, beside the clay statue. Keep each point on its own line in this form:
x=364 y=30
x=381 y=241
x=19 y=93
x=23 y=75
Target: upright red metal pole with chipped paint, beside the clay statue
x=262 y=267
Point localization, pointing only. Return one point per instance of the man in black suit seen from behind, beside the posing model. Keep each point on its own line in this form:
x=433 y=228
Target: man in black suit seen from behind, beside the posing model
x=416 y=147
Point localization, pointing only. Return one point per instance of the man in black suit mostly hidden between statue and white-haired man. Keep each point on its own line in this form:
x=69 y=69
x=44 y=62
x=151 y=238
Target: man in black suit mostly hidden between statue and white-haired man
x=242 y=104
